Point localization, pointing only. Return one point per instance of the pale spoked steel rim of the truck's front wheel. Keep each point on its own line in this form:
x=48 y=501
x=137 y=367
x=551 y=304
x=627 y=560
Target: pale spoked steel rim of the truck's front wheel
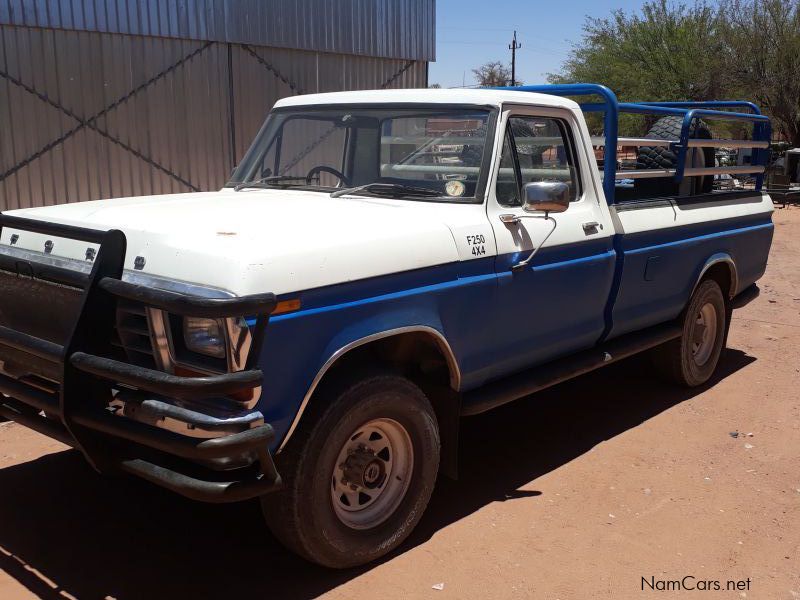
x=372 y=473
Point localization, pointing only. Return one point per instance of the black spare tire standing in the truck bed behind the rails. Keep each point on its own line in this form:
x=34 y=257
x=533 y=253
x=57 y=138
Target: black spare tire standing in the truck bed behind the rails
x=662 y=157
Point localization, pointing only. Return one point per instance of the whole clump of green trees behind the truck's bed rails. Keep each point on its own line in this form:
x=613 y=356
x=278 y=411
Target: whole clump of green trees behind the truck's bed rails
x=746 y=49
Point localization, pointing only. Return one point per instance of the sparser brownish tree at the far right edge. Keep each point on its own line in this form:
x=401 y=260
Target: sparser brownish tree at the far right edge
x=763 y=57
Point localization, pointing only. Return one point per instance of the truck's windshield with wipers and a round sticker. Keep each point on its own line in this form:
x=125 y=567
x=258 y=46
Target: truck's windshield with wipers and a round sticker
x=430 y=152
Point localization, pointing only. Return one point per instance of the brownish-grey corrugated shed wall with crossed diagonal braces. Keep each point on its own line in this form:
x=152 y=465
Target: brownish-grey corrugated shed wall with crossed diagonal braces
x=91 y=114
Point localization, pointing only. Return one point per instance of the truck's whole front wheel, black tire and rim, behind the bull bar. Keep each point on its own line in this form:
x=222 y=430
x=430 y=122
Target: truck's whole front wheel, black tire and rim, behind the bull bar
x=359 y=475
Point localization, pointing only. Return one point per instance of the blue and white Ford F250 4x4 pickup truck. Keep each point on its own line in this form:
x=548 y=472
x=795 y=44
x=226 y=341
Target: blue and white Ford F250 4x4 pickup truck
x=381 y=264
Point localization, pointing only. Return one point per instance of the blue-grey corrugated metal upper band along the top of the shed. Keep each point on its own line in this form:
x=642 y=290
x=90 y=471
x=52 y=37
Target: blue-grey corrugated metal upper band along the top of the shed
x=383 y=28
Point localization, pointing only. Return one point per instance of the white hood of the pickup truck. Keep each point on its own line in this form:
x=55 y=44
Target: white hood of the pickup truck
x=257 y=240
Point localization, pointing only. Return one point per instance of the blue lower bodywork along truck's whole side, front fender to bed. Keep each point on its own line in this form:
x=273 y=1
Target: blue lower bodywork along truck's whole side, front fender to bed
x=478 y=307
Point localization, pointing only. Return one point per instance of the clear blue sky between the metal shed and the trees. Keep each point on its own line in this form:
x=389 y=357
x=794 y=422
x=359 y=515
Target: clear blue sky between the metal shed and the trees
x=472 y=32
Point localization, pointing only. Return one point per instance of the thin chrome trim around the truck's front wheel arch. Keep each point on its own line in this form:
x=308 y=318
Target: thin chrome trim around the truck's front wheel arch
x=397 y=335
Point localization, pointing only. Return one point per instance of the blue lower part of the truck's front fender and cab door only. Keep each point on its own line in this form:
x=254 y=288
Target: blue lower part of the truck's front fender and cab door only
x=455 y=299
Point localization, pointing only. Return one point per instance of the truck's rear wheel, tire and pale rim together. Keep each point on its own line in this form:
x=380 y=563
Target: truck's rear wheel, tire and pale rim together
x=691 y=359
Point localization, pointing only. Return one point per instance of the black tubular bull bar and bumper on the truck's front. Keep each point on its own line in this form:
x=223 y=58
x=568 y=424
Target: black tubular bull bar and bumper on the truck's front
x=83 y=395
